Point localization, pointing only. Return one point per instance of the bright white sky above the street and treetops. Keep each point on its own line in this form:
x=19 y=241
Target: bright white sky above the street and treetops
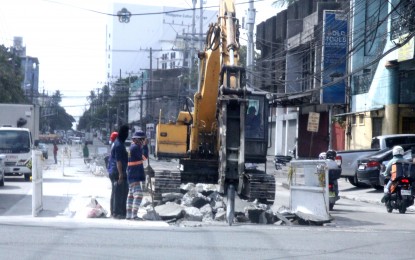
x=69 y=41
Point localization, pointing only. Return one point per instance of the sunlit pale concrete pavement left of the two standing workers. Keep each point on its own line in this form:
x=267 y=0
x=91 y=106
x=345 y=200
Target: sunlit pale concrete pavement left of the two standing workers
x=66 y=193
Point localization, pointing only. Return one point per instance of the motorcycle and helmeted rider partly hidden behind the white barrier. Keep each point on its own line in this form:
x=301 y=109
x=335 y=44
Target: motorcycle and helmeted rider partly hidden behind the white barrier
x=334 y=162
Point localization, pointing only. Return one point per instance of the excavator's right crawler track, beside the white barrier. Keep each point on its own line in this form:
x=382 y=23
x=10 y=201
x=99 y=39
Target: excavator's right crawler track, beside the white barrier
x=259 y=185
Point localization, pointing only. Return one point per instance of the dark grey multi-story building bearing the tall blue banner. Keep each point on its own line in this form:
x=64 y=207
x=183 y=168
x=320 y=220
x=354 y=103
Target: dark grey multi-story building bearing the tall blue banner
x=303 y=61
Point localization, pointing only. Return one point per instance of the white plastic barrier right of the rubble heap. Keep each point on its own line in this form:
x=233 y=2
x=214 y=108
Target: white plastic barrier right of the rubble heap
x=308 y=192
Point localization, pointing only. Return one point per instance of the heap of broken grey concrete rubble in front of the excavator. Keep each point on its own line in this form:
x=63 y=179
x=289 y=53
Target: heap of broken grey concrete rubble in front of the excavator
x=202 y=203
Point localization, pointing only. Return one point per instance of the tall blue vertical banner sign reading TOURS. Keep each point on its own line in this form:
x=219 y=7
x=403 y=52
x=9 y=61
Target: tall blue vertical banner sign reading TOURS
x=334 y=57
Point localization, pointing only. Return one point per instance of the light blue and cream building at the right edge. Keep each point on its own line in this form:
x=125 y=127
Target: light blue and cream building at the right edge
x=382 y=71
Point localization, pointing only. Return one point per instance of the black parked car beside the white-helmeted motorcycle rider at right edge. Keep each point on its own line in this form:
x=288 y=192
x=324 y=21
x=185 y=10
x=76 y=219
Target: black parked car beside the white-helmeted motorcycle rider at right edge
x=368 y=168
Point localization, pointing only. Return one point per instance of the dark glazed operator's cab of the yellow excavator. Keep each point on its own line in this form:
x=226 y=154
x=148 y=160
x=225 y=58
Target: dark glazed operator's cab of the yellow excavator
x=256 y=128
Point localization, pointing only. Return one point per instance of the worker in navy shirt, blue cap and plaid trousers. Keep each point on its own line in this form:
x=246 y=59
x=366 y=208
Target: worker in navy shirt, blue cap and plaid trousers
x=135 y=174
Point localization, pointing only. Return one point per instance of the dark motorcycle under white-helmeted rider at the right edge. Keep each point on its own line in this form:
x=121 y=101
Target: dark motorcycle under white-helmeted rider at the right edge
x=402 y=188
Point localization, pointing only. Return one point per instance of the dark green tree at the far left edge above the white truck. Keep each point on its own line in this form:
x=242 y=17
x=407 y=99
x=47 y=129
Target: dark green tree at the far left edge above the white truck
x=10 y=77
